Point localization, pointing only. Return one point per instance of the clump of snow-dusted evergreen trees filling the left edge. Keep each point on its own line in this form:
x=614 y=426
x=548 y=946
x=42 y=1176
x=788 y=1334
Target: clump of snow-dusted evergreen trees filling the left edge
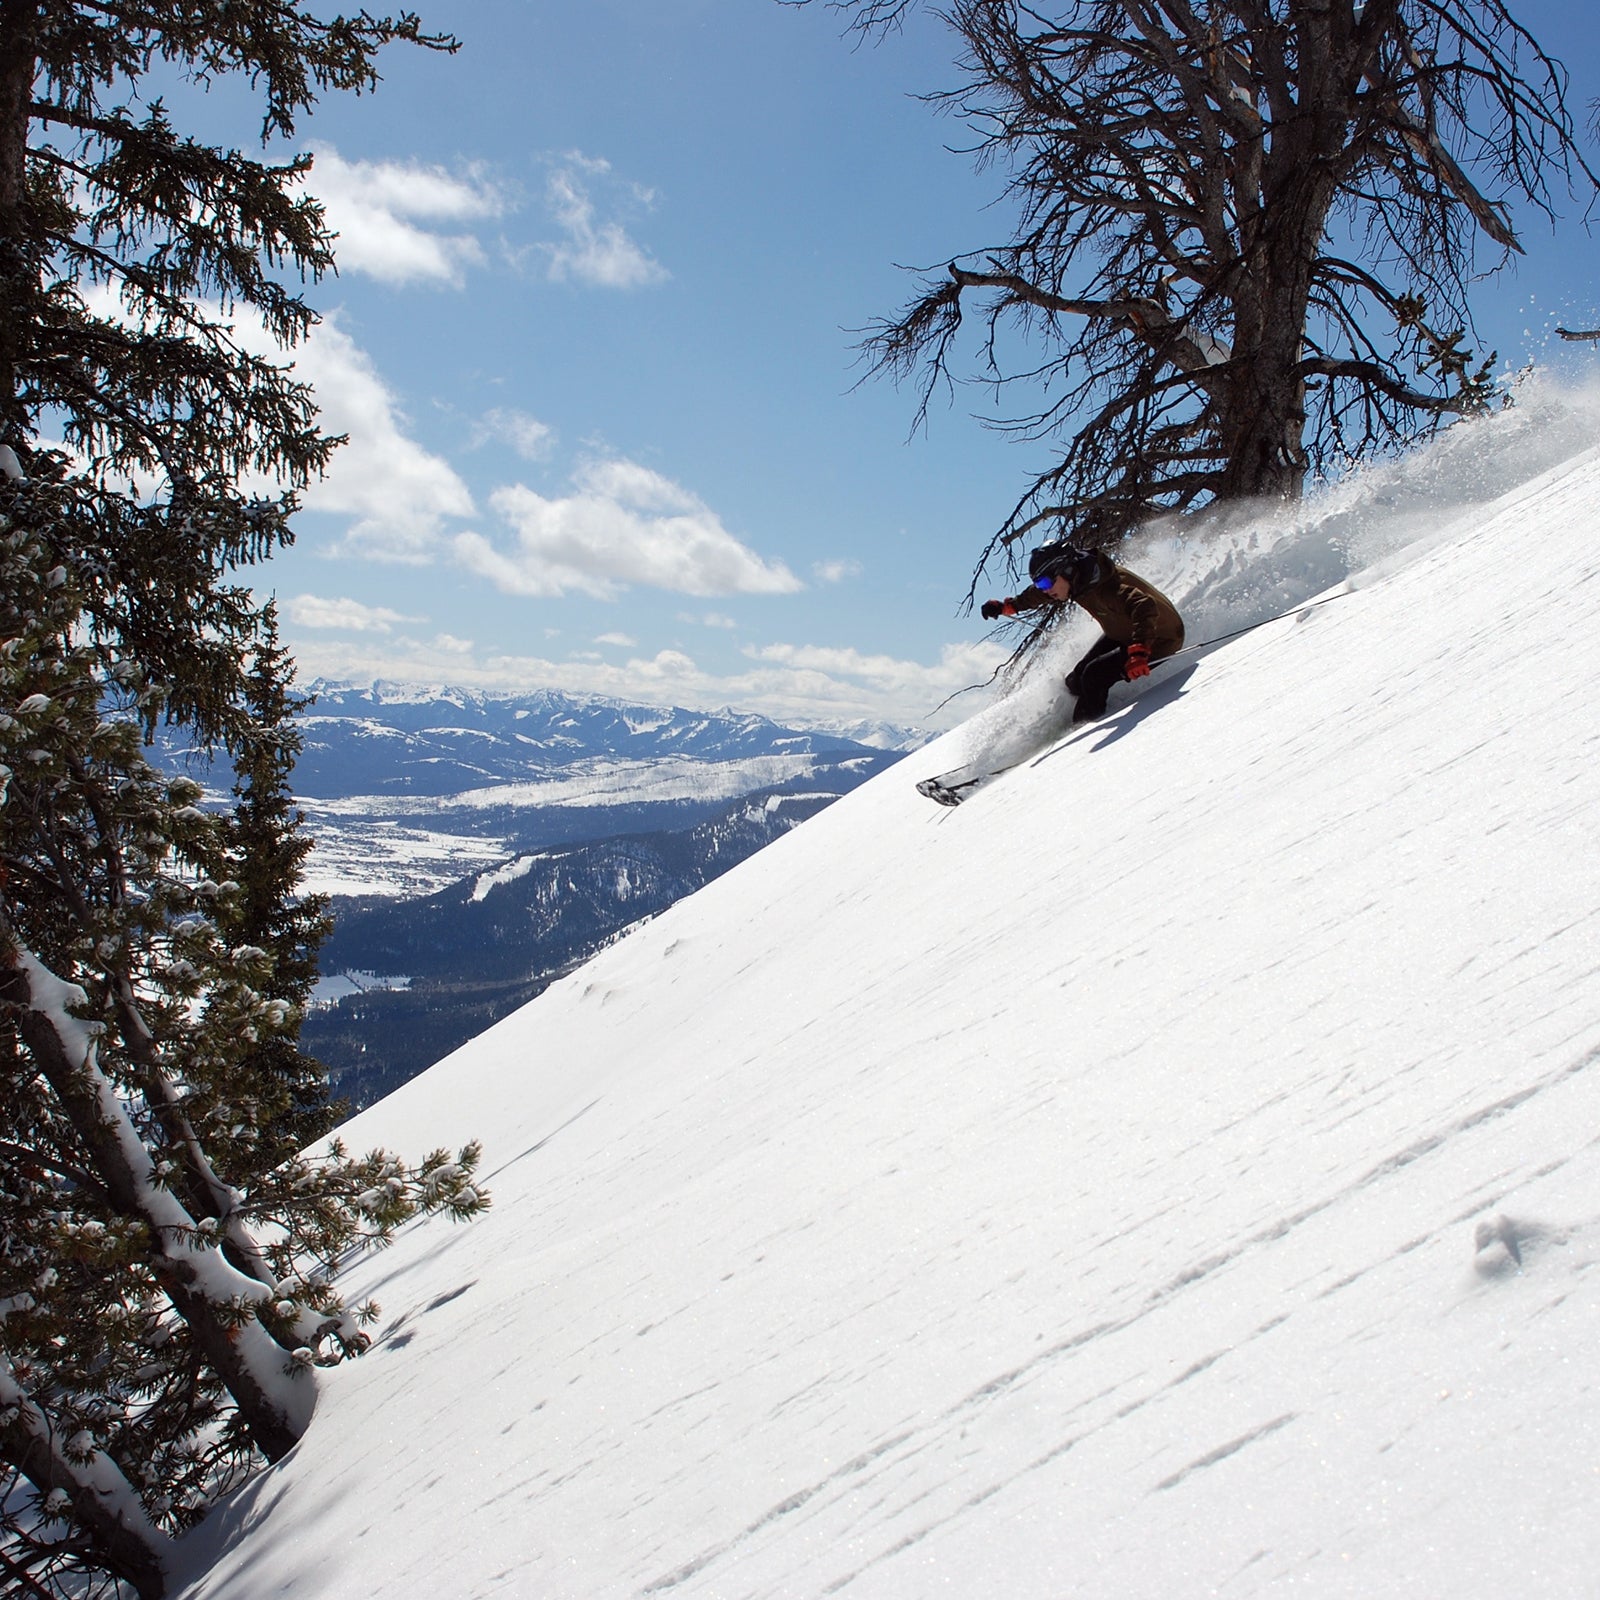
x=166 y=1249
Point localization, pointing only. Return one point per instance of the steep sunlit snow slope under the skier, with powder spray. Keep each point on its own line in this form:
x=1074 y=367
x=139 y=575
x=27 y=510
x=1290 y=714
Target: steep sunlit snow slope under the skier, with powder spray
x=1113 y=1188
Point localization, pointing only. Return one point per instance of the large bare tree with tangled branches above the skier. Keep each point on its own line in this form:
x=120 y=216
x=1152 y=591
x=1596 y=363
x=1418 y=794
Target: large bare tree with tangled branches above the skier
x=1244 y=234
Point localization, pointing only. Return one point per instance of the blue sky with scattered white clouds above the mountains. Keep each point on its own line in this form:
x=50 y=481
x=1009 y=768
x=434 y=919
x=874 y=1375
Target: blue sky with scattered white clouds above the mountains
x=593 y=343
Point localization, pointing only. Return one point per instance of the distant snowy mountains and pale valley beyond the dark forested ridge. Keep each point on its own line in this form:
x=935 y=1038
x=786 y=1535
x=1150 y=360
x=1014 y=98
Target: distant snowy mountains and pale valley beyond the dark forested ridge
x=410 y=788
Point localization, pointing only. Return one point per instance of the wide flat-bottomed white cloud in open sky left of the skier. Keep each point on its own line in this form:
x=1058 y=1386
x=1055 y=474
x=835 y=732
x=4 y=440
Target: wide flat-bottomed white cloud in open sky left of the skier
x=625 y=526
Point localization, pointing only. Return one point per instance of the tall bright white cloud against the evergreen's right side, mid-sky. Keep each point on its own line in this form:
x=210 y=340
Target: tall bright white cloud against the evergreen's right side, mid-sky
x=399 y=494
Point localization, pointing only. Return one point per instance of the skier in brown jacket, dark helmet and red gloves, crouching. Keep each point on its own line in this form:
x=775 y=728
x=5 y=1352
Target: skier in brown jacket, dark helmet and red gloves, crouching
x=1138 y=623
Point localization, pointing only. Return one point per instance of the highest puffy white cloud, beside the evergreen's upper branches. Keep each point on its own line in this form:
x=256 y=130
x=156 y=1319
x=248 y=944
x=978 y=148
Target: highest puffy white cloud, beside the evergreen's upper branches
x=386 y=215
